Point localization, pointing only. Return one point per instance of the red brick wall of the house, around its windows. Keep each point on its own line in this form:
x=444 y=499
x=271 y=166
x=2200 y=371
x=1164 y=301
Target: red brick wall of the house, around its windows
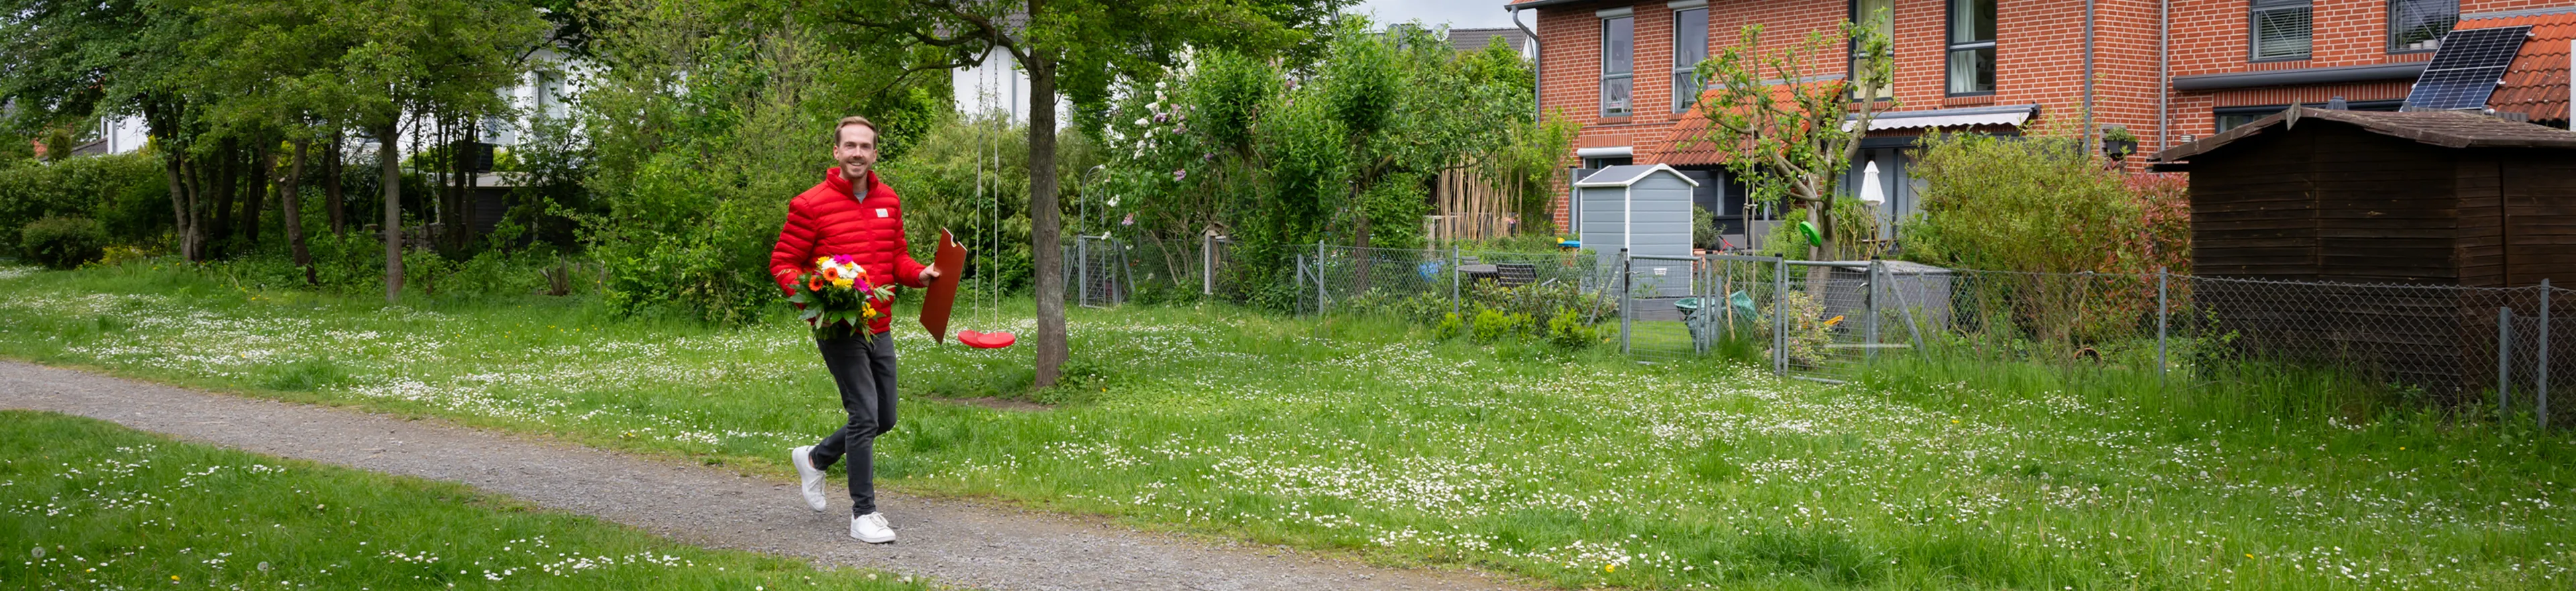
x=2039 y=58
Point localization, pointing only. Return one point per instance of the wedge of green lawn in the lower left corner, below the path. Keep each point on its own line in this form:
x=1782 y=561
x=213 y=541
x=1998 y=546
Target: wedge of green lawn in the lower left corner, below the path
x=89 y=505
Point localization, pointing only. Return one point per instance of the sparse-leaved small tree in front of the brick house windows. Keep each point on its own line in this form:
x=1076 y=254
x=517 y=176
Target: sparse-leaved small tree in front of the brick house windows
x=1792 y=117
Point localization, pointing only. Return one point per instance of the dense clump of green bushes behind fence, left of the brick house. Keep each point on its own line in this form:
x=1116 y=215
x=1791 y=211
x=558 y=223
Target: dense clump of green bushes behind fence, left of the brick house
x=1284 y=156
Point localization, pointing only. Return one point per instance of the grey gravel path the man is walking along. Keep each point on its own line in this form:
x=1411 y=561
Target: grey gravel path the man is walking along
x=960 y=543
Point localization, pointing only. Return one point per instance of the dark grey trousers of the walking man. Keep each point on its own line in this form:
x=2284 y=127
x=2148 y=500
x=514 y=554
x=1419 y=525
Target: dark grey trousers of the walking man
x=867 y=391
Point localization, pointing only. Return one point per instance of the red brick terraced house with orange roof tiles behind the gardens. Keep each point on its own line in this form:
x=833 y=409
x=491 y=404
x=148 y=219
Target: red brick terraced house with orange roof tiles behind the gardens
x=2165 y=71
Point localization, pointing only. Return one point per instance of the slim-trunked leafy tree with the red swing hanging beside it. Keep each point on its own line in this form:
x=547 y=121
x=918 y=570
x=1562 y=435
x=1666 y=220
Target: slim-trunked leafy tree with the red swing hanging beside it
x=1073 y=50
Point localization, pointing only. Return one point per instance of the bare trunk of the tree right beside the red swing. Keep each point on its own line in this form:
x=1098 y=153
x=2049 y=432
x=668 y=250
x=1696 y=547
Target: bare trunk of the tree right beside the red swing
x=1045 y=223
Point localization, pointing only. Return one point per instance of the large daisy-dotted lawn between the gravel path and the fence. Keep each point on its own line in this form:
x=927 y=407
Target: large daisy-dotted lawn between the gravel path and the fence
x=1367 y=437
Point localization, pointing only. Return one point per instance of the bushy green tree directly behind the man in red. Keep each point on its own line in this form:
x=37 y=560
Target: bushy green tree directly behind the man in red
x=705 y=120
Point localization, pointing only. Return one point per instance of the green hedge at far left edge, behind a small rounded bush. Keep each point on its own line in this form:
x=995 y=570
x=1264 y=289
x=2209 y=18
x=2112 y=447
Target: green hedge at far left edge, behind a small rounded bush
x=128 y=195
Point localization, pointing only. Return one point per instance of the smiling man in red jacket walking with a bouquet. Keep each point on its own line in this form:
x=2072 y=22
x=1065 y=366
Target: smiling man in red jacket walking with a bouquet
x=851 y=213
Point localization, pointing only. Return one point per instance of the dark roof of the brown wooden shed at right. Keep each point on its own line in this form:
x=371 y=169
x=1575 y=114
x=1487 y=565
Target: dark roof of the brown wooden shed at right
x=2430 y=128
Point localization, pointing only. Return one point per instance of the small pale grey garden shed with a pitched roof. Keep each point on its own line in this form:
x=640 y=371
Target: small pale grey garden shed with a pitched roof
x=1642 y=210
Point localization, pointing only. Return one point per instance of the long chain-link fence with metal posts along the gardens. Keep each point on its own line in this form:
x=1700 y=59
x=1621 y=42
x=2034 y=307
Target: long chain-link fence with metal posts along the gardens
x=1833 y=321
